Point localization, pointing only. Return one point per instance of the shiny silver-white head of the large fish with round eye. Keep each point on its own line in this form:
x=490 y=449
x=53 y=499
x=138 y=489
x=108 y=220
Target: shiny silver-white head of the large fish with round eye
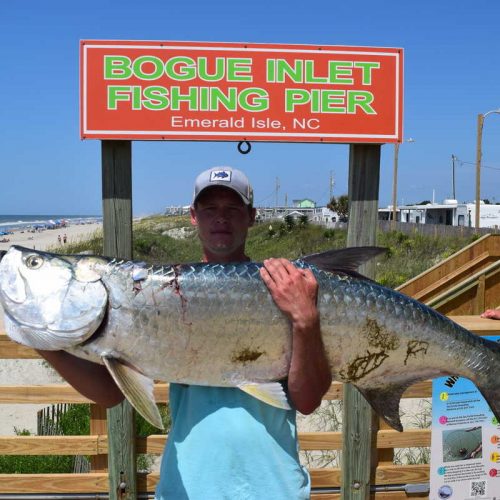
x=51 y=301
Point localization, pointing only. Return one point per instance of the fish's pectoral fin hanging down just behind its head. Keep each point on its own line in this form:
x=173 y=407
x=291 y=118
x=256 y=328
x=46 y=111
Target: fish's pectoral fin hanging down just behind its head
x=137 y=388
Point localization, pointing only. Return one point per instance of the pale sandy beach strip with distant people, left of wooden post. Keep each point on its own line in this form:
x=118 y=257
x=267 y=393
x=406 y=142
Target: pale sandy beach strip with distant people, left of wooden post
x=46 y=239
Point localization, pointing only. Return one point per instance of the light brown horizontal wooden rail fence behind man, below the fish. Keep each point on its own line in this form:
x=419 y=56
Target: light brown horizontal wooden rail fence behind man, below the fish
x=96 y=445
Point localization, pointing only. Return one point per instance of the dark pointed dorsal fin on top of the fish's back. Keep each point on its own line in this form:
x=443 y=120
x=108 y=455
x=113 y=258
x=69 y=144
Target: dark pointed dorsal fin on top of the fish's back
x=344 y=260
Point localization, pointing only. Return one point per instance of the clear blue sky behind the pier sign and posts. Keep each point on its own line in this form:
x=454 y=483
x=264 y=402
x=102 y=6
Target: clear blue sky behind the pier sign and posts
x=452 y=73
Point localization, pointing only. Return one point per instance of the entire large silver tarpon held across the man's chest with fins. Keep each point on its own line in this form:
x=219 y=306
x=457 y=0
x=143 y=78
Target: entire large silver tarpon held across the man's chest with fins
x=216 y=324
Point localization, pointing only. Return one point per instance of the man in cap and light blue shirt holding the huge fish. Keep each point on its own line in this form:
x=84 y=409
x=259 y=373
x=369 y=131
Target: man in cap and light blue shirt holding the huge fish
x=224 y=444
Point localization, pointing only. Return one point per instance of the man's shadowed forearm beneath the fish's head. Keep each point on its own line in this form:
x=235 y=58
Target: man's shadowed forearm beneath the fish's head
x=89 y=379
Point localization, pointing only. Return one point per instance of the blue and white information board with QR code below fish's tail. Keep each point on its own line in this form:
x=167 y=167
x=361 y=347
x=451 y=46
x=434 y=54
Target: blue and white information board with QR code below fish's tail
x=465 y=449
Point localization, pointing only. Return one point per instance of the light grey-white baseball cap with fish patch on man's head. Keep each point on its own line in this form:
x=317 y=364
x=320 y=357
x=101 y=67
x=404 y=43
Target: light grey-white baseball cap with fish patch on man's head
x=228 y=177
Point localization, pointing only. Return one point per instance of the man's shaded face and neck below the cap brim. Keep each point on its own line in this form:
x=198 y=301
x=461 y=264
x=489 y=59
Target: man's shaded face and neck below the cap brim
x=223 y=221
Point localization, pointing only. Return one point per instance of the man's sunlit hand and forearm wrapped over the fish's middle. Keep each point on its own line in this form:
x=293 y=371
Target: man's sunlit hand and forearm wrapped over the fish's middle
x=295 y=292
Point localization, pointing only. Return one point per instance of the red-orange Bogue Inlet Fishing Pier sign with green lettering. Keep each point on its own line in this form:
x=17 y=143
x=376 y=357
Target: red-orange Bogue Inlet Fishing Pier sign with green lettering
x=236 y=92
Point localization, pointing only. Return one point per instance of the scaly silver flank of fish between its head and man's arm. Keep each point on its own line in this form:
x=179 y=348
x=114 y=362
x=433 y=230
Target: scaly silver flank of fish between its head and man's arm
x=207 y=324
